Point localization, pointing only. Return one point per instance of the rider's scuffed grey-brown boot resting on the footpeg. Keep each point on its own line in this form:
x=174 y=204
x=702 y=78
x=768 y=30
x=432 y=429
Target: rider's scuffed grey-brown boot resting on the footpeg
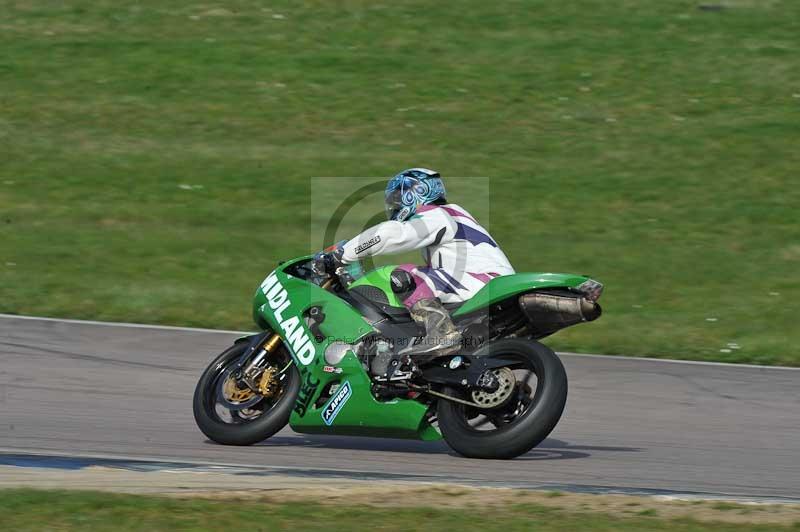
x=441 y=338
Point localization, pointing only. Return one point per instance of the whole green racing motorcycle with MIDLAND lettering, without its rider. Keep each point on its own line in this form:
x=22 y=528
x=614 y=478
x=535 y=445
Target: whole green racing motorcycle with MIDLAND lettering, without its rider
x=498 y=396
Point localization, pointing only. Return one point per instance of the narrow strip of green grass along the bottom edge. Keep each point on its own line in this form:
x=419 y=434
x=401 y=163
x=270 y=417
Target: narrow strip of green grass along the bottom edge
x=67 y=510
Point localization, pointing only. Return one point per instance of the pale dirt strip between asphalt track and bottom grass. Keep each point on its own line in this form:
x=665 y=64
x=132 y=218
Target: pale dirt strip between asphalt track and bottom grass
x=279 y=489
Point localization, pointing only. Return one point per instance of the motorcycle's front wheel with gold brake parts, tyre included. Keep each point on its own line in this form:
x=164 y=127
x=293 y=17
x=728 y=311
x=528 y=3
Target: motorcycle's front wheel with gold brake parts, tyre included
x=229 y=412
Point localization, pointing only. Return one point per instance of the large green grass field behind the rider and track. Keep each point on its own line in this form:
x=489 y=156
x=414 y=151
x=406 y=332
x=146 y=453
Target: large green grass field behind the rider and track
x=650 y=144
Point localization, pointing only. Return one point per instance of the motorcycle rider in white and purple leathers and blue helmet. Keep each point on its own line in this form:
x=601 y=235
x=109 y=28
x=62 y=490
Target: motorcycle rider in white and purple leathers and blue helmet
x=460 y=257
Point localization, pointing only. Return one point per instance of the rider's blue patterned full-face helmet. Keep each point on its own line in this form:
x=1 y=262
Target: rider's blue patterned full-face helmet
x=411 y=188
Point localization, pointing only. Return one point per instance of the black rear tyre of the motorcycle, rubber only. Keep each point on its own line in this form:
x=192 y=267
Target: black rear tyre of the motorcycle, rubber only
x=531 y=427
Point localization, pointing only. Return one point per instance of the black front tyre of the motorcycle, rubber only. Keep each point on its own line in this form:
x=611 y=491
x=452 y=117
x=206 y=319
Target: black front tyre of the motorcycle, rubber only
x=250 y=432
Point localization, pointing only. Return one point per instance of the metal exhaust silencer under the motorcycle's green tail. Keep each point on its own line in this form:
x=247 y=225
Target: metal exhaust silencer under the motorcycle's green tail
x=550 y=312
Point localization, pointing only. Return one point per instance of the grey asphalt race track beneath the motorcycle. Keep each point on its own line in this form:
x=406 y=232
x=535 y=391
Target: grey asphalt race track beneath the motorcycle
x=631 y=425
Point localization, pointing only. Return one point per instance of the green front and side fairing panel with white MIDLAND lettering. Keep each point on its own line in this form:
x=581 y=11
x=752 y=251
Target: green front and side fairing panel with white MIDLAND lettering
x=280 y=303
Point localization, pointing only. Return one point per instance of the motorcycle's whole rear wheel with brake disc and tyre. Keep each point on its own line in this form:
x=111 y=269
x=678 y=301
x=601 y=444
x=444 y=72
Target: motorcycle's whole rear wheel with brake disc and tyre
x=519 y=414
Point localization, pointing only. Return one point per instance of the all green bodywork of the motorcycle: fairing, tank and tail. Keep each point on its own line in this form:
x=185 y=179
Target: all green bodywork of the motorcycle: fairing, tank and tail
x=281 y=304
